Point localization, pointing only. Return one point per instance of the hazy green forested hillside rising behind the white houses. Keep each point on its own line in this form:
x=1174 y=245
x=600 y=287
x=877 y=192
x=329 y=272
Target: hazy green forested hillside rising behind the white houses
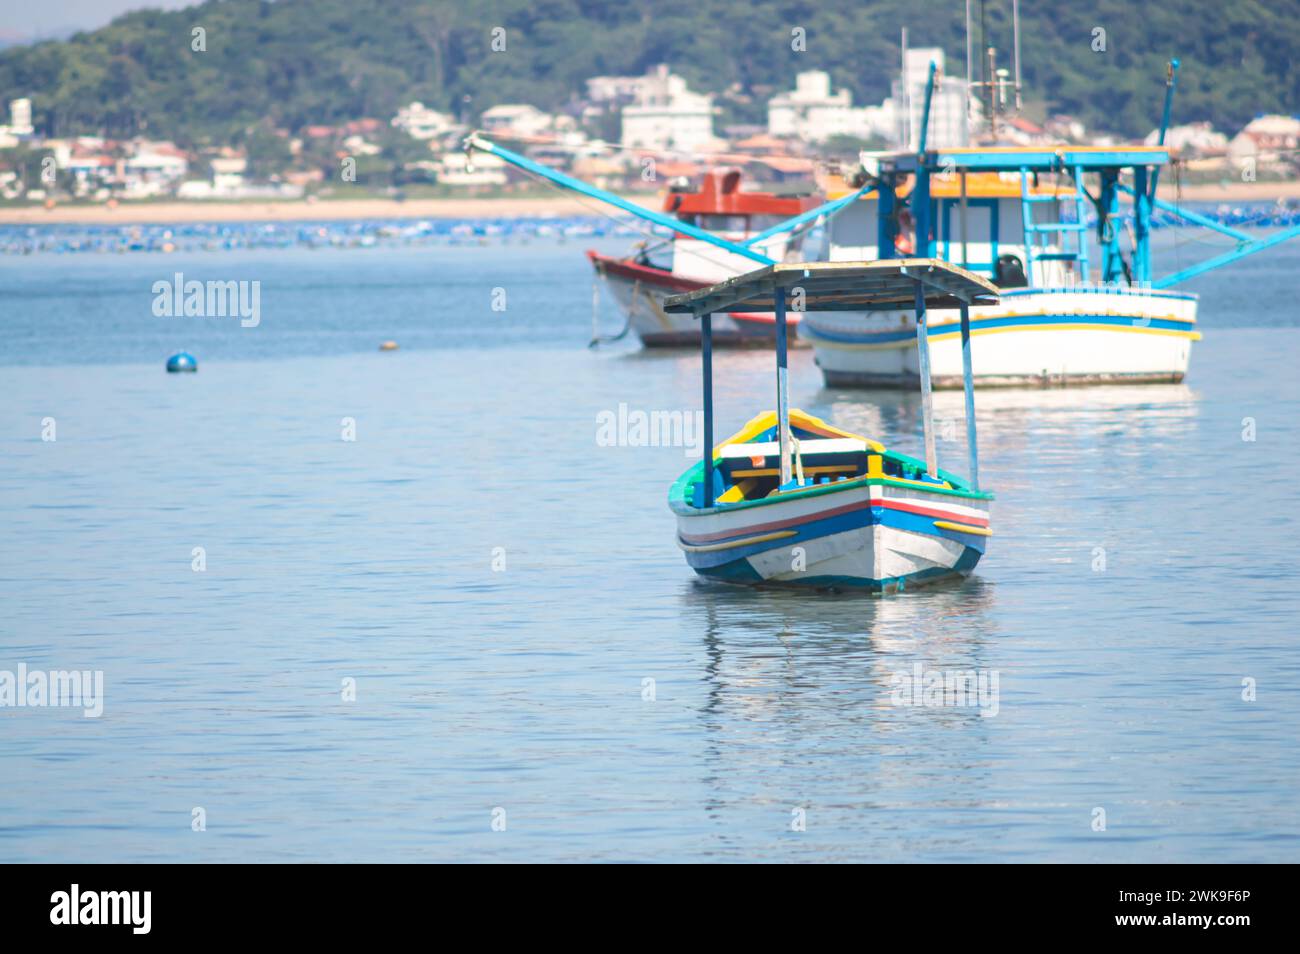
x=319 y=62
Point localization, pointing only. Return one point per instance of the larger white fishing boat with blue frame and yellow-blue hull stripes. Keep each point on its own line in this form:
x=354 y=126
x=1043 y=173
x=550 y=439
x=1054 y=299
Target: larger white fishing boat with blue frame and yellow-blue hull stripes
x=1019 y=216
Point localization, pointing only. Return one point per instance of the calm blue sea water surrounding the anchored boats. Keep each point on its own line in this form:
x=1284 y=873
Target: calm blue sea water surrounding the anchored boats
x=501 y=588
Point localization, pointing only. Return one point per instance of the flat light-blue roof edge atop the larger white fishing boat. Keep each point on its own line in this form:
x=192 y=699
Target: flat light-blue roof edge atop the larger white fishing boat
x=1034 y=158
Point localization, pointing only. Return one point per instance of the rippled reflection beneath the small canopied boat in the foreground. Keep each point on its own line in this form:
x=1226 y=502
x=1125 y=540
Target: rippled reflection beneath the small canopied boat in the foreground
x=799 y=715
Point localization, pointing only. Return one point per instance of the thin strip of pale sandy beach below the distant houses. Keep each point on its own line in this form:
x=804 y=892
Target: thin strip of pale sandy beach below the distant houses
x=560 y=207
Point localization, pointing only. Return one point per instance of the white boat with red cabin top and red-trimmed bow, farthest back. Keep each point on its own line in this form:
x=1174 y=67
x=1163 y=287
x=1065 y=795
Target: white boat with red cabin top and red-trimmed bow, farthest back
x=642 y=281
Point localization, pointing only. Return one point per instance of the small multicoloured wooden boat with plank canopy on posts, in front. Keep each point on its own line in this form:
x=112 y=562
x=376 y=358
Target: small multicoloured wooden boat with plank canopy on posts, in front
x=792 y=500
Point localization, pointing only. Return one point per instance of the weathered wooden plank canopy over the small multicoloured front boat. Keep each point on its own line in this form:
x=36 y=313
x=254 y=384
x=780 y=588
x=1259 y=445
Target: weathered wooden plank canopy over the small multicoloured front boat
x=842 y=287
